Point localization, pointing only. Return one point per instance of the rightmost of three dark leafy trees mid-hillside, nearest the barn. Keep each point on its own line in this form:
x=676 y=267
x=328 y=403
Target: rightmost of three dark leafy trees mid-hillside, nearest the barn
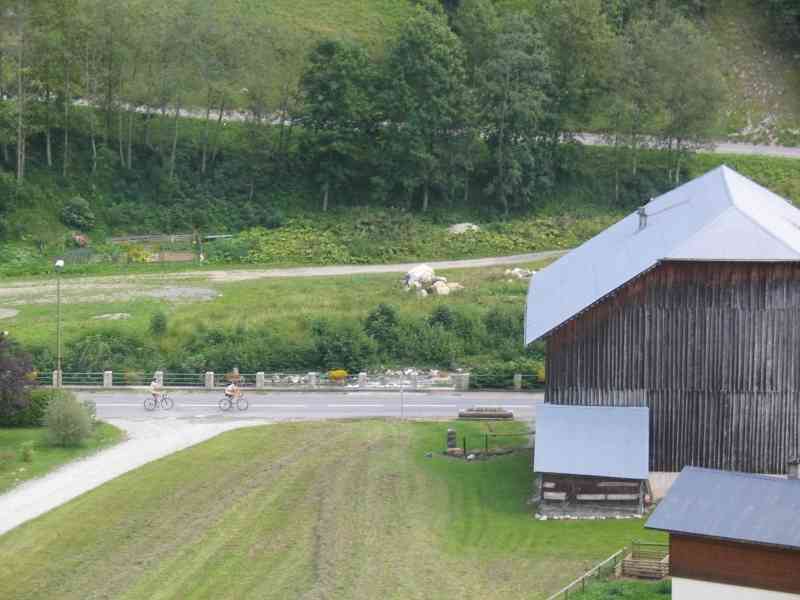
x=515 y=92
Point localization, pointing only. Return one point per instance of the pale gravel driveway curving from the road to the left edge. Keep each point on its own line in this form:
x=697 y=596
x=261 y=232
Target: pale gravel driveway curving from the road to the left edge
x=148 y=440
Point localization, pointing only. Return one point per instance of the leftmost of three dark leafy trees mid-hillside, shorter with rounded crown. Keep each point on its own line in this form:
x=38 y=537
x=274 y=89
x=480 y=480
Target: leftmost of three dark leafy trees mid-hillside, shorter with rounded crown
x=339 y=87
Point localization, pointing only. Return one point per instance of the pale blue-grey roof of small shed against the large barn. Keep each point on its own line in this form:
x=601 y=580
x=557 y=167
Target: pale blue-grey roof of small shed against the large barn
x=592 y=440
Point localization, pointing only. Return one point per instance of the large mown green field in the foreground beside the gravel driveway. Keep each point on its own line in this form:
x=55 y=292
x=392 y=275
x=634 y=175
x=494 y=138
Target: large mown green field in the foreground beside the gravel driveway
x=346 y=510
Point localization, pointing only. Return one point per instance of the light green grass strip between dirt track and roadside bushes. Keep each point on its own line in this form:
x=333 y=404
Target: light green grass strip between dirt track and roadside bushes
x=286 y=307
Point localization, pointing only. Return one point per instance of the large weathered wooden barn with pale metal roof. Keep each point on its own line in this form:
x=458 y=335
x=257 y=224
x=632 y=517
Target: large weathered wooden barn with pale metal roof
x=689 y=306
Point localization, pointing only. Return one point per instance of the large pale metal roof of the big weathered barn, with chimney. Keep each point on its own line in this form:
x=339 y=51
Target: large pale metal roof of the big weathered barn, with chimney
x=719 y=216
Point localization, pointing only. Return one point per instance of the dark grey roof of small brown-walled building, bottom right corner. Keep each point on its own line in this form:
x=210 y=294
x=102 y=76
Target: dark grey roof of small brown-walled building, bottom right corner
x=732 y=506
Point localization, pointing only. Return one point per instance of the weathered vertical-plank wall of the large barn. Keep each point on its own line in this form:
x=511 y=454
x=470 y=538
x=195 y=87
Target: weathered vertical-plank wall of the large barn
x=712 y=348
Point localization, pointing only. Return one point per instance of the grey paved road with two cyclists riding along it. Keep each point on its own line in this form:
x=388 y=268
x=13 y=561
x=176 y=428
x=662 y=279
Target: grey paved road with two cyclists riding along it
x=275 y=406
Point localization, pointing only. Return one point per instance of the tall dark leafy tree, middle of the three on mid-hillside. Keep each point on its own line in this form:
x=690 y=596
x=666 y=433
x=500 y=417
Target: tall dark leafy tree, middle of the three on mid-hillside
x=426 y=100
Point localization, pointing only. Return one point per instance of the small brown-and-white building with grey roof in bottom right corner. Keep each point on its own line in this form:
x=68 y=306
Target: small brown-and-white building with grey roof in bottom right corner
x=732 y=535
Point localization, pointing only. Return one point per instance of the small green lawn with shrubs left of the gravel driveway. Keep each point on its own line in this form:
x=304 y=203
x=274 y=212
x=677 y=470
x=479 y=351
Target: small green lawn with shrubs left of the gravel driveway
x=14 y=470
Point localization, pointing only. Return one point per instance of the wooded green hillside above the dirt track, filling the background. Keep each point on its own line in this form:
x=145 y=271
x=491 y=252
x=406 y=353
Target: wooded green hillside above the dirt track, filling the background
x=365 y=167
